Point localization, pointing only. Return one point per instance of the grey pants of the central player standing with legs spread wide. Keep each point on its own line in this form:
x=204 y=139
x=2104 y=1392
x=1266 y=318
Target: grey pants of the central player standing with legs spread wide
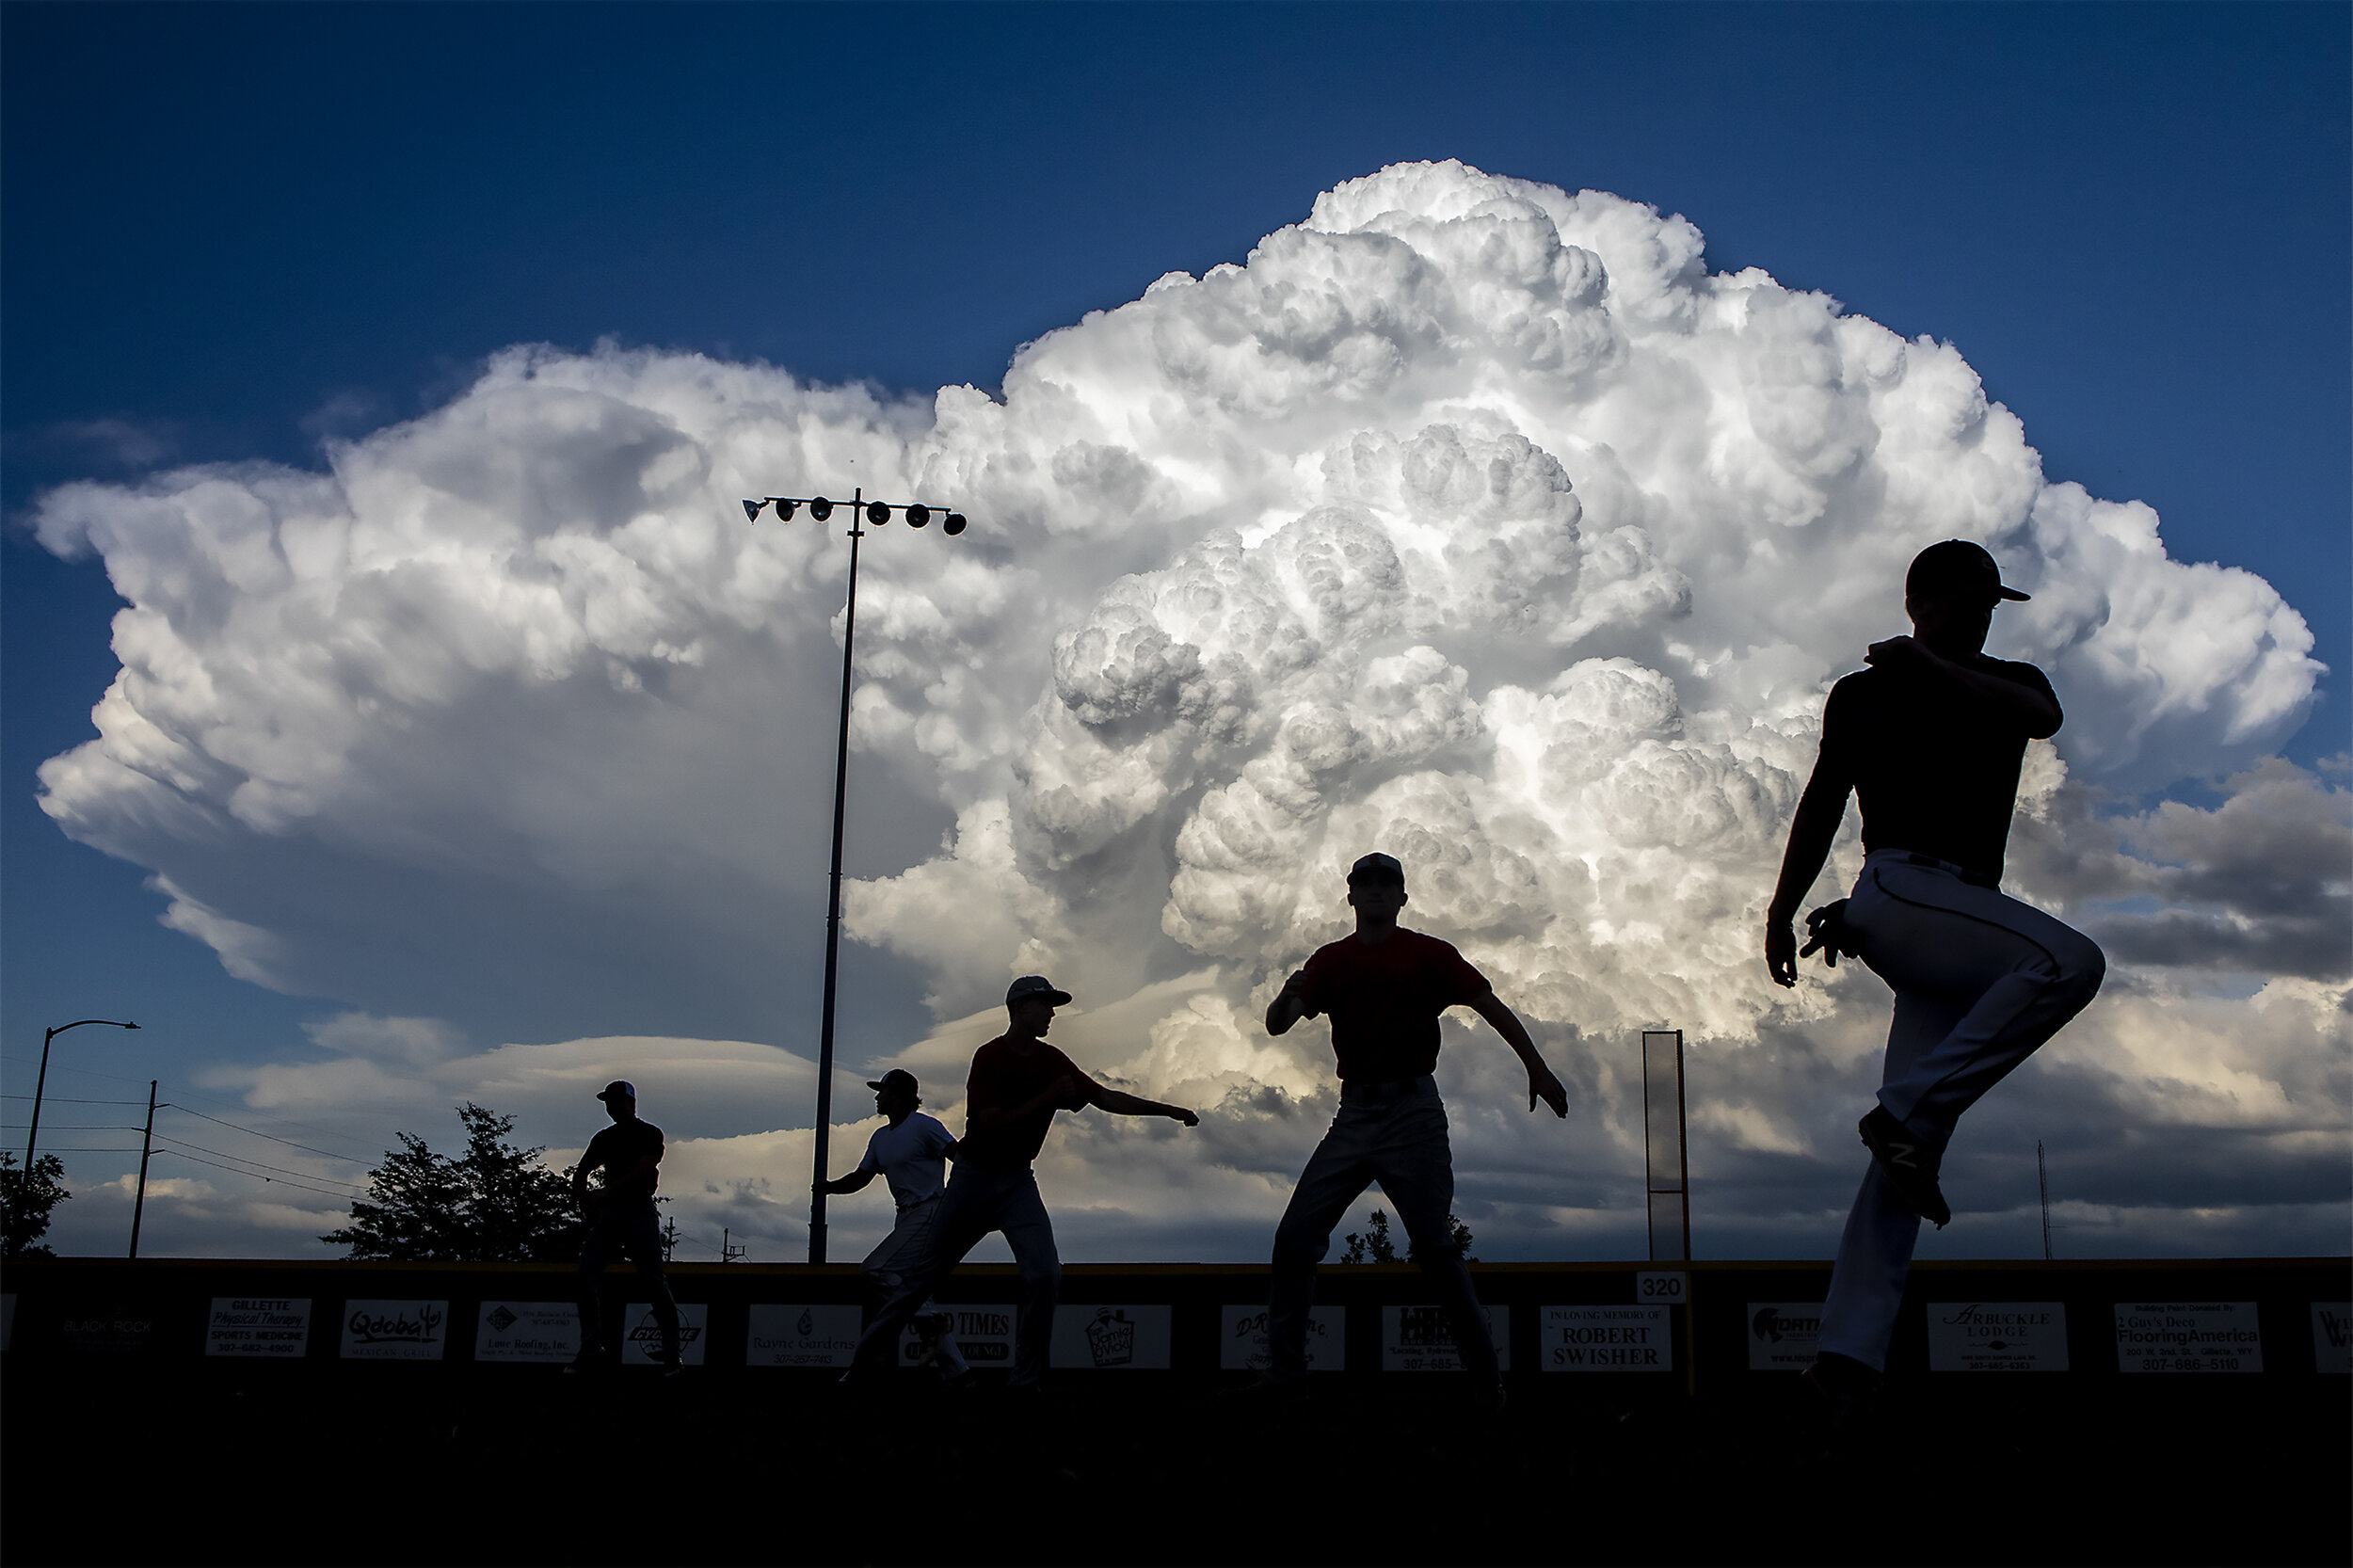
x=1392 y=1134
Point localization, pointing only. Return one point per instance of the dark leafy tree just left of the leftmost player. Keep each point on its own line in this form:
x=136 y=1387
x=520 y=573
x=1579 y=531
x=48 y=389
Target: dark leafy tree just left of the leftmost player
x=491 y=1204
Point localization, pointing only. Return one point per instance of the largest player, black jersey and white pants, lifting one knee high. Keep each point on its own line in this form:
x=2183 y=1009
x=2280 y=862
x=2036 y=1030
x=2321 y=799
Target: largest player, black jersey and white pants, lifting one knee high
x=1931 y=740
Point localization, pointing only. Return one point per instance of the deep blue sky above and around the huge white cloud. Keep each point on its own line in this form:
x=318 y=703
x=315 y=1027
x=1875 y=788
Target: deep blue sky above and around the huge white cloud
x=227 y=232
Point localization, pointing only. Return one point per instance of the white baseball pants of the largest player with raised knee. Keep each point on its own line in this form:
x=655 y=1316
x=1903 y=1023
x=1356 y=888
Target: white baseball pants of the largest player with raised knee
x=1980 y=983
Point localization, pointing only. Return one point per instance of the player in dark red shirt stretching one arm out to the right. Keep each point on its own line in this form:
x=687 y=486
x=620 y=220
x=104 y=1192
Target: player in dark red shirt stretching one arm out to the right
x=1011 y=1101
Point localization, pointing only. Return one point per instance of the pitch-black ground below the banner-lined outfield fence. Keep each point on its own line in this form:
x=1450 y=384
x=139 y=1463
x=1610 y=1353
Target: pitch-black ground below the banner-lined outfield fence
x=524 y=1466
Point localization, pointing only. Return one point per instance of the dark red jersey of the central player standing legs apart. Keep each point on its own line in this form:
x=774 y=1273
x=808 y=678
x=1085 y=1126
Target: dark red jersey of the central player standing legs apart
x=1385 y=999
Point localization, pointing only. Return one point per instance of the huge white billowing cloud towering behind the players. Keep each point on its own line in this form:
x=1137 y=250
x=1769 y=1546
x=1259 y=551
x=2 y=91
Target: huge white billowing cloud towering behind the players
x=1469 y=519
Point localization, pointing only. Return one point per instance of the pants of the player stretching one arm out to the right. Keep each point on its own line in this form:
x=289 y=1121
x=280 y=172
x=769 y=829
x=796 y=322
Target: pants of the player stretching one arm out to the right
x=978 y=1202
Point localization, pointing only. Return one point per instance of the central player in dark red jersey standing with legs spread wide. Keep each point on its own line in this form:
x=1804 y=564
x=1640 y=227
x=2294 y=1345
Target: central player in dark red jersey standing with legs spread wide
x=1385 y=990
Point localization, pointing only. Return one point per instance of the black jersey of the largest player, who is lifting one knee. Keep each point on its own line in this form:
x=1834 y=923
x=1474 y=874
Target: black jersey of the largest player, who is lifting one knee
x=1935 y=771
